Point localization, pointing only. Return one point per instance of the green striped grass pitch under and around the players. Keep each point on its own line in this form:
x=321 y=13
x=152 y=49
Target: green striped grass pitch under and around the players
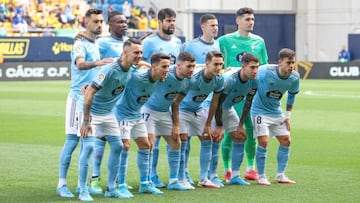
x=324 y=160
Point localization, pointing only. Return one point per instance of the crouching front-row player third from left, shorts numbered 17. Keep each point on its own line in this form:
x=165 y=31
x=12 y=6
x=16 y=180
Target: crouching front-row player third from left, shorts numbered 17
x=156 y=112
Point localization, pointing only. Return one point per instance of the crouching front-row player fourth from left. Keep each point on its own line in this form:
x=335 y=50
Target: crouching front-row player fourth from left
x=195 y=118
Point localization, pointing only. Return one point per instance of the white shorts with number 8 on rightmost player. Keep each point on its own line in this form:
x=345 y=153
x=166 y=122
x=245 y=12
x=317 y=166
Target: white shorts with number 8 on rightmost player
x=269 y=126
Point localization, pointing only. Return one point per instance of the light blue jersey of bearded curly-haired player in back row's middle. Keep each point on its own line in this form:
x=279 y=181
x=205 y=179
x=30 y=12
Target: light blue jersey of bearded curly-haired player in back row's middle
x=155 y=44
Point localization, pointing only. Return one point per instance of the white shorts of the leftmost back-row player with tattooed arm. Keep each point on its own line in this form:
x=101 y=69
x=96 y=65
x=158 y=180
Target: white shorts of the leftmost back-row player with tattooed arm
x=71 y=116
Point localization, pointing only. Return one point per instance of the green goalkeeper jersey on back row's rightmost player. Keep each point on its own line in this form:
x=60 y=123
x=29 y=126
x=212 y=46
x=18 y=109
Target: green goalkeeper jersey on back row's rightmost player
x=233 y=46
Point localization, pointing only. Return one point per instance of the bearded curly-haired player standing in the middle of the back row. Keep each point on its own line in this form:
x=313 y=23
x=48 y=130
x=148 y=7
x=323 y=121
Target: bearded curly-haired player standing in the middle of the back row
x=165 y=42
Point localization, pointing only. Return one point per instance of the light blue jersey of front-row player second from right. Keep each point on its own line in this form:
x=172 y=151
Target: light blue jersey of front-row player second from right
x=235 y=89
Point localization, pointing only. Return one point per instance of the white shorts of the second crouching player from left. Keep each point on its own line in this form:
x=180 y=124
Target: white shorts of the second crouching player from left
x=132 y=129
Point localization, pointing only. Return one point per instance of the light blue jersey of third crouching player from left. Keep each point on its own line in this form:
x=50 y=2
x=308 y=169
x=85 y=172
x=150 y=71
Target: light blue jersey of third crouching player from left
x=166 y=91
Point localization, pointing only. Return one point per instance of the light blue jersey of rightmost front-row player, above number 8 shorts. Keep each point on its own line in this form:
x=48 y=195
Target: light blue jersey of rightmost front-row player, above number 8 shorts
x=271 y=88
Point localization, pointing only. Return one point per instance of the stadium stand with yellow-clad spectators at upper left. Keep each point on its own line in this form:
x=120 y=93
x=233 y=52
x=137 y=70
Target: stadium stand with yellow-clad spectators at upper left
x=61 y=17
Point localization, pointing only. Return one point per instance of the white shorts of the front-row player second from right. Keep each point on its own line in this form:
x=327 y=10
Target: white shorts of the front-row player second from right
x=230 y=120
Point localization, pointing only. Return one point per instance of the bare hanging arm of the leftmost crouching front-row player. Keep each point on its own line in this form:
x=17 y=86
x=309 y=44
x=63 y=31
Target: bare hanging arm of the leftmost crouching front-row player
x=88 y=98
